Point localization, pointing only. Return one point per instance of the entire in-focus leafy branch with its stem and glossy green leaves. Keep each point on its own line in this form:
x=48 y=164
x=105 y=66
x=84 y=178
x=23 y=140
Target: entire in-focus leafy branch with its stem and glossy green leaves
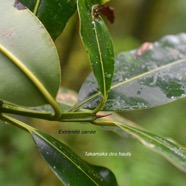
x=30 y=75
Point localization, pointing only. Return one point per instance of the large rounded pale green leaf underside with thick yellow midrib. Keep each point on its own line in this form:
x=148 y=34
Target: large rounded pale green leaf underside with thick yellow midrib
x=29 y=64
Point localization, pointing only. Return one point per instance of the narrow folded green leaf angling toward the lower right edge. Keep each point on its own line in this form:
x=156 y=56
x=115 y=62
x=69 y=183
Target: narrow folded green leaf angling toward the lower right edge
x=173 y=152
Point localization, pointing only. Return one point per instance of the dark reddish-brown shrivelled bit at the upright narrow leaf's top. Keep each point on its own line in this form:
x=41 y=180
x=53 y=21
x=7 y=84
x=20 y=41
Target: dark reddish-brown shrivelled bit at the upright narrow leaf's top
x=107 y=11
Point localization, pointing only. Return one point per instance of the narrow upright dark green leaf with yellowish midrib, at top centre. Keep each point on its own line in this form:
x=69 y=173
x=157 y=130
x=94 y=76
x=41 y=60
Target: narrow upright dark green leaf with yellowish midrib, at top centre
x=97 y=41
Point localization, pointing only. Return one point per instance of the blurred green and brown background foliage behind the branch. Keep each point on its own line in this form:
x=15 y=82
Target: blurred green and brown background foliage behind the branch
x=136 y=21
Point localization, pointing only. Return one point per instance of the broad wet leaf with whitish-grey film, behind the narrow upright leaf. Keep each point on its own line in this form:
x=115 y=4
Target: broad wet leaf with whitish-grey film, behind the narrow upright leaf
x=156 y=77
